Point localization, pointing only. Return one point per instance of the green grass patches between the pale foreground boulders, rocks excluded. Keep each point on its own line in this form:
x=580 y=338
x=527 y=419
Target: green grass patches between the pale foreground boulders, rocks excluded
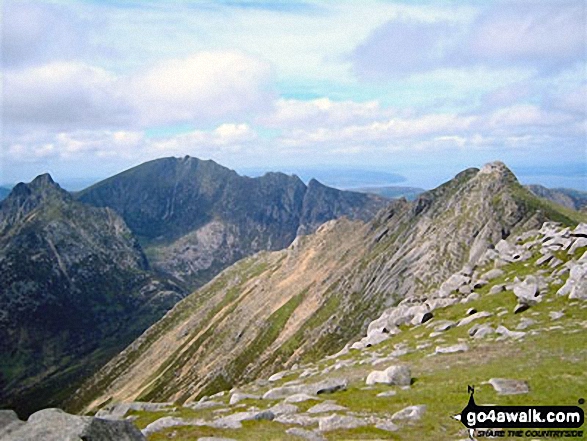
x=551 y=358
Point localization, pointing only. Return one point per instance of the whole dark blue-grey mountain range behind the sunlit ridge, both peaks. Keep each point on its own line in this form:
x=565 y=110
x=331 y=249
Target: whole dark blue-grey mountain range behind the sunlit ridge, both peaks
x=83 y=274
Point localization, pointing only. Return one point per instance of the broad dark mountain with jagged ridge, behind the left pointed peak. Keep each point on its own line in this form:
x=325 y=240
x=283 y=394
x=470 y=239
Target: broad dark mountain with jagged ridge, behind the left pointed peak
x=195 y=218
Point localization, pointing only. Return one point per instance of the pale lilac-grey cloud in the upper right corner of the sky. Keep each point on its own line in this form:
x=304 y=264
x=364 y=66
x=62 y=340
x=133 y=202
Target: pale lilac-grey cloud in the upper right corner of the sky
x=540 y=35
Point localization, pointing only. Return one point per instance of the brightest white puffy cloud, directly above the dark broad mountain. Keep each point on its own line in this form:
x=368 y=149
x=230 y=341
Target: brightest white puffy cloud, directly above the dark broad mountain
x=203 y=87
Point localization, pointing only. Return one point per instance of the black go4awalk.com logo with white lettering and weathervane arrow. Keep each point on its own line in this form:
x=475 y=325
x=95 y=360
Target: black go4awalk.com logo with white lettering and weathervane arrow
x=521 y=421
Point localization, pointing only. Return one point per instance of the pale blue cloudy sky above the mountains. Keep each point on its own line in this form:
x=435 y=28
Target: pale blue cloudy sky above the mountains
x=422 y=89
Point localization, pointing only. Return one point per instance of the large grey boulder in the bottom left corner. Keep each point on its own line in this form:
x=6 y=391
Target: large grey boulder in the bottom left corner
x=56 y=425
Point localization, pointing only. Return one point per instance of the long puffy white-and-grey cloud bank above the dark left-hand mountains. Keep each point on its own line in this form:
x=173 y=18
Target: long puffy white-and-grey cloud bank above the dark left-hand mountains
x=201 y=89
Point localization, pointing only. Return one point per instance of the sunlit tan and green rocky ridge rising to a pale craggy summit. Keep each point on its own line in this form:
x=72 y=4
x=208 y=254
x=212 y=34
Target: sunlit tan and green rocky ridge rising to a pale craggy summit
x=278 y=309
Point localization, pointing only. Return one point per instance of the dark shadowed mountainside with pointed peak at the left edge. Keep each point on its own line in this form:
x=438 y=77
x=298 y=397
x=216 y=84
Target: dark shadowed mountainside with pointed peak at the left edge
x=74 y=290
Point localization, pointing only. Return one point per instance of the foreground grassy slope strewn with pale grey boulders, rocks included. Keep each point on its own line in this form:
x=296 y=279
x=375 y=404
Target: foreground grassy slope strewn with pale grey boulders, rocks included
x=515 y=330
